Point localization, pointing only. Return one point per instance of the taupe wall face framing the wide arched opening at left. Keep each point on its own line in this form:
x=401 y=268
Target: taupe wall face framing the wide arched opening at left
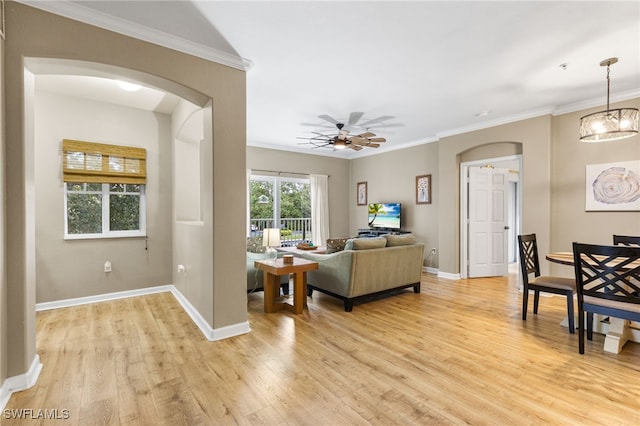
x=29 y=35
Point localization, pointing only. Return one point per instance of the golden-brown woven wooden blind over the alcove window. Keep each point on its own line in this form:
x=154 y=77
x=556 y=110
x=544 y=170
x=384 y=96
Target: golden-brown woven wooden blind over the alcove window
x=102 y=163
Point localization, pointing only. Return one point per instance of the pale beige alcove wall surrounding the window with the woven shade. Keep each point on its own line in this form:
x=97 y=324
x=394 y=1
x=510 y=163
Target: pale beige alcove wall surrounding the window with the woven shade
x=74 y=268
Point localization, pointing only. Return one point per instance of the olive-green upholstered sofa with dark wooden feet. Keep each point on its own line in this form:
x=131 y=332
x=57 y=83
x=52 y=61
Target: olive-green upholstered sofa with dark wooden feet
x=367 y=267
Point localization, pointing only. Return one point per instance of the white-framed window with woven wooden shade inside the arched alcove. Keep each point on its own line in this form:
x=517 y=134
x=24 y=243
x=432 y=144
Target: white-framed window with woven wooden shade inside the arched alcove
x=104 y=192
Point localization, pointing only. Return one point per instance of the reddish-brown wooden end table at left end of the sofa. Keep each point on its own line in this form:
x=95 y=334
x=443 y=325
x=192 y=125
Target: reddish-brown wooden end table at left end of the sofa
x=272 y=270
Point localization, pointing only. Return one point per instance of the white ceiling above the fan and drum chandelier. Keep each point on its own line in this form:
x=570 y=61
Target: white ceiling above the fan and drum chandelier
x=430 y=66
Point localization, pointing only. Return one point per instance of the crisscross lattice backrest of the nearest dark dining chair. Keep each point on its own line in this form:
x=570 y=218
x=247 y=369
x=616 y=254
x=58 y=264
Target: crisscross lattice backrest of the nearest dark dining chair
x=607 y=272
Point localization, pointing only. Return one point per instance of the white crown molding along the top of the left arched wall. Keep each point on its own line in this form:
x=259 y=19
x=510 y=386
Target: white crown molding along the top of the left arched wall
x=122 y=26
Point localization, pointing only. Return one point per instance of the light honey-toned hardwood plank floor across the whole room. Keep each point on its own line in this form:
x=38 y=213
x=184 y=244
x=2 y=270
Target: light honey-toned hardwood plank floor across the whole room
x=456 y=353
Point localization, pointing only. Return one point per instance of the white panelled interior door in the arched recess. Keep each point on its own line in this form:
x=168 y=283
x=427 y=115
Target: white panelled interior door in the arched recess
x=488 y=230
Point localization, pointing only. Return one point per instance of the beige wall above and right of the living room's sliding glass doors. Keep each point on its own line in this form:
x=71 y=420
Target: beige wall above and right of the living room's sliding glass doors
x=336 y=168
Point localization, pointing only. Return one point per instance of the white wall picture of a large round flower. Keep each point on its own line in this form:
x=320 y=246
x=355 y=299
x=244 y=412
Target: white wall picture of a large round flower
x=613 y=186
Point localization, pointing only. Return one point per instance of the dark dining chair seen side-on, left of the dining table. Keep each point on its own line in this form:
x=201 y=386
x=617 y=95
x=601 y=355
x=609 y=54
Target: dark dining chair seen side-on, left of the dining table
x=530 y=264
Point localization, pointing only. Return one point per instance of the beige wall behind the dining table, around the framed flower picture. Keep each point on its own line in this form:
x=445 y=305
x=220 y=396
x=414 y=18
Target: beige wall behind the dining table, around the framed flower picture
x=569 y=220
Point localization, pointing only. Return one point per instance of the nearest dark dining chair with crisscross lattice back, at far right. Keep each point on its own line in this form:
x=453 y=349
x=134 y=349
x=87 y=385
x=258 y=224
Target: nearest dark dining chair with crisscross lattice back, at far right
x=608 y=283
